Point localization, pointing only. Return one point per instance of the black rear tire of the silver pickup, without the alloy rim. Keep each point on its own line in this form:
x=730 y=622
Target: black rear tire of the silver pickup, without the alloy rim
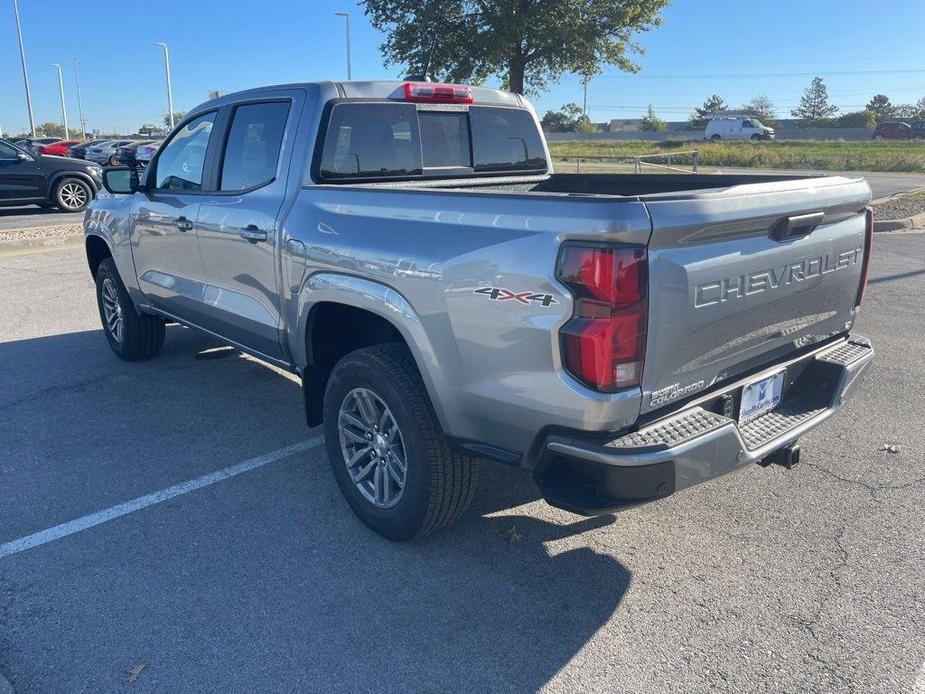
x=439 y=483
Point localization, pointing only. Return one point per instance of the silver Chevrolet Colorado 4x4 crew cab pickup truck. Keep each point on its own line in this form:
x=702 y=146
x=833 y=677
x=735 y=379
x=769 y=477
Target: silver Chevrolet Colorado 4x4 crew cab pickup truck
x=405 y=248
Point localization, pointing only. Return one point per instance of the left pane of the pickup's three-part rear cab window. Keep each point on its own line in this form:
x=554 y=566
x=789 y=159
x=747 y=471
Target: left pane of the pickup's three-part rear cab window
x=371 y=141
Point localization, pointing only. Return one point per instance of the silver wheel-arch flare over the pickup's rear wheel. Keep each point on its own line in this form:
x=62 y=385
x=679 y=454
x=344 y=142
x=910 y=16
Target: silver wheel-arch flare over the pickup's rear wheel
x=377 y=298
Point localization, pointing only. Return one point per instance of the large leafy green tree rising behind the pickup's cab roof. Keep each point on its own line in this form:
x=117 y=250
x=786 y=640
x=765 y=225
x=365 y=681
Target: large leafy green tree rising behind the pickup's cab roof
x=524 y=42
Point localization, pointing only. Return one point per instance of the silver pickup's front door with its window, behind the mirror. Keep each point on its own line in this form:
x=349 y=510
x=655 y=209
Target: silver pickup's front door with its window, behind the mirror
x=166 y=249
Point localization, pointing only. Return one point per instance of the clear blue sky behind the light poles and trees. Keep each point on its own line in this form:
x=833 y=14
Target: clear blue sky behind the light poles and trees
x=735 y=49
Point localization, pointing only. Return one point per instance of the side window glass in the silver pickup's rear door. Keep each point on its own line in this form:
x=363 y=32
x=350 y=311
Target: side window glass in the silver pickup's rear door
x=252 y=148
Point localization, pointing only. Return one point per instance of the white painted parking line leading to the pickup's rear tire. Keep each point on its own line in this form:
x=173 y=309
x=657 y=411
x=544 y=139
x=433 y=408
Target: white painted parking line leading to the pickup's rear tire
x=74 y=526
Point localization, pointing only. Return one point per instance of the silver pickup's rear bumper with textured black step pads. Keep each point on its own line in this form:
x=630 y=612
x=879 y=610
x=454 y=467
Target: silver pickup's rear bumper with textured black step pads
x=701 y=441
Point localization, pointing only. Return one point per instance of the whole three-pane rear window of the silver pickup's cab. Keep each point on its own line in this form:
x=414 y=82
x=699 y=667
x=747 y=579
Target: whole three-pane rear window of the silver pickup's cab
x=370 y=141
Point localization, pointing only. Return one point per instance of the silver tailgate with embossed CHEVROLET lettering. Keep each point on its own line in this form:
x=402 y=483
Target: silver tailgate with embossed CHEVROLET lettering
x=744 y=276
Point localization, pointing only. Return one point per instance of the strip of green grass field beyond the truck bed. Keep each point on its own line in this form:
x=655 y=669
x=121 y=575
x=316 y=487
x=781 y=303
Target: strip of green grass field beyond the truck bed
x=793 y=154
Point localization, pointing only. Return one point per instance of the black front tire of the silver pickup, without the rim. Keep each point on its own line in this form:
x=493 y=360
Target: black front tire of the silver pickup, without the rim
x=142 y=335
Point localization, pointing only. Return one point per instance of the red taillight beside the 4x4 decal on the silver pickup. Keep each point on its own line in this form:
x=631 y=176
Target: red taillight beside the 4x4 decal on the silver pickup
x=604 y=342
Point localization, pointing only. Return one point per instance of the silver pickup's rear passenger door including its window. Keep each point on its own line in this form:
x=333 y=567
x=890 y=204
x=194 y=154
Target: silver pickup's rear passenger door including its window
x=238 y=232
